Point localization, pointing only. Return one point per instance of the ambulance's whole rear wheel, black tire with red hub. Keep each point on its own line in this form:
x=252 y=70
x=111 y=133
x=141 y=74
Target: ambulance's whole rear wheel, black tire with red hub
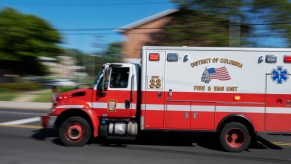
x=235 y=137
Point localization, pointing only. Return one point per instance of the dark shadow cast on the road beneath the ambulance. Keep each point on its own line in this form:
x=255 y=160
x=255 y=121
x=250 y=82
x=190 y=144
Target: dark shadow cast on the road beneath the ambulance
x=205 y=140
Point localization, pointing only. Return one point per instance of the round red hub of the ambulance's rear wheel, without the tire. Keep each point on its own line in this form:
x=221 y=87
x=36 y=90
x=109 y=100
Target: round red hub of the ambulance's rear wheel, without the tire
x=235 y=138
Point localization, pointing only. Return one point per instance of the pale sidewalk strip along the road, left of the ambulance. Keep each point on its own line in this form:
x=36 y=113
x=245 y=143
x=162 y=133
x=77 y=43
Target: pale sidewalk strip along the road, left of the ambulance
x=25 y=105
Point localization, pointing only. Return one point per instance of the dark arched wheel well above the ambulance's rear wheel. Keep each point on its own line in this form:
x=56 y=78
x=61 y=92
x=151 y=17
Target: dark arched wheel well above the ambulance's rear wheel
x=237 y=118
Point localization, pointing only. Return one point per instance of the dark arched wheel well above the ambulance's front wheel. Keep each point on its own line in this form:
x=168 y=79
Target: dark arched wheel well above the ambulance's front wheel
x=71 y=113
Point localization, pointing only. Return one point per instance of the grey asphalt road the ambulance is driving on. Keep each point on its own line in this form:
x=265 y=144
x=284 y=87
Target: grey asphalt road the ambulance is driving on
x=23 y=141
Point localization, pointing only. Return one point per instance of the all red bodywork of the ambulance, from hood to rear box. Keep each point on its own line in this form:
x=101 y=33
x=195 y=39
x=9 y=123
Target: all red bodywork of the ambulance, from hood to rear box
x=188 y=105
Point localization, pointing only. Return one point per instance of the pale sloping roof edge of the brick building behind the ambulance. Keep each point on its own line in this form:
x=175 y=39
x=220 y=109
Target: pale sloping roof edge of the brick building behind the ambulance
x=146 y=20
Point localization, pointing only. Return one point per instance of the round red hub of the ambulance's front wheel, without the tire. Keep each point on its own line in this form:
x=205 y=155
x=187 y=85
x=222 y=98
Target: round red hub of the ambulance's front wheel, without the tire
x=75 y=132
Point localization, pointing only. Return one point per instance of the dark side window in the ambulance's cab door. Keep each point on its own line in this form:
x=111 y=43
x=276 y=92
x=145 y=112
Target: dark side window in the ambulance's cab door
x=119 y=77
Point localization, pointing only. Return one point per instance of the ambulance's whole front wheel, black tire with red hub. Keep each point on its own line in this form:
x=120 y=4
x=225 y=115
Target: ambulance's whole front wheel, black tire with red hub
x=75 y=131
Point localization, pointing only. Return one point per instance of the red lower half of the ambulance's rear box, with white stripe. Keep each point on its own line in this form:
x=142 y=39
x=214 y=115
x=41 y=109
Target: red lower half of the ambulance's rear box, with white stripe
x=210 y=119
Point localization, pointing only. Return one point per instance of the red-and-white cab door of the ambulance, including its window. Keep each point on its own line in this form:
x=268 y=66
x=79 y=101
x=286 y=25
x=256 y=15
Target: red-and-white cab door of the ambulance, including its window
x=117 y=99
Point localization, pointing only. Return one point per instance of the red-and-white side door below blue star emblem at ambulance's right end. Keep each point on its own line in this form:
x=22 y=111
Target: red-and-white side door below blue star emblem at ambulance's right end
x=278 y=109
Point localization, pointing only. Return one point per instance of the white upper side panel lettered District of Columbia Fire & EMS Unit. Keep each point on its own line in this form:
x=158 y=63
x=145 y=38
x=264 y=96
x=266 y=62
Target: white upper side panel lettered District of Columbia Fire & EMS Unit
x=247 y=75
